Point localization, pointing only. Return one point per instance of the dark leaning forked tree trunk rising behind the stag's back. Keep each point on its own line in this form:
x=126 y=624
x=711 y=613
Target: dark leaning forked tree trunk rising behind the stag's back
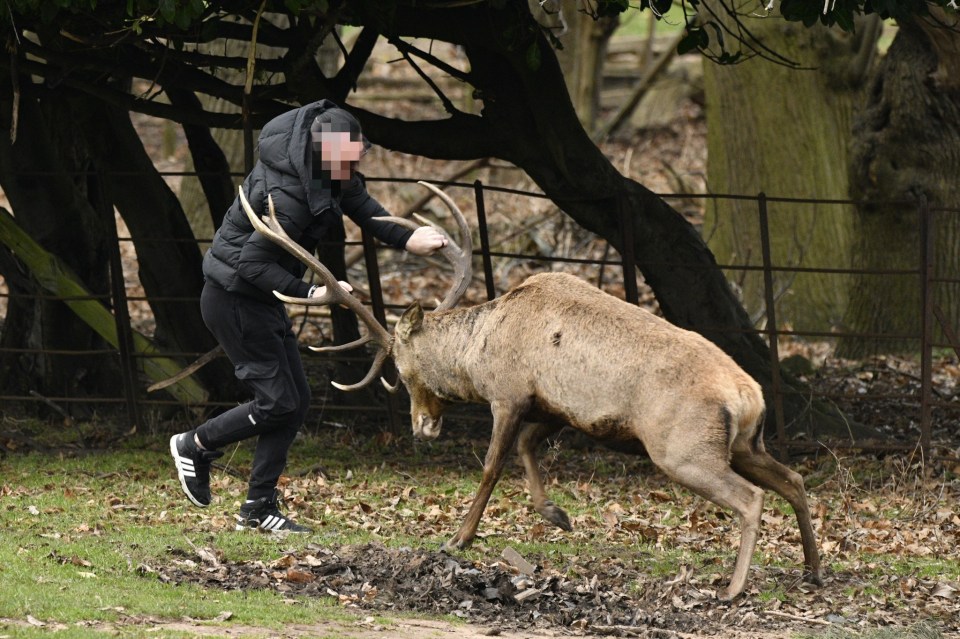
x=525 y=109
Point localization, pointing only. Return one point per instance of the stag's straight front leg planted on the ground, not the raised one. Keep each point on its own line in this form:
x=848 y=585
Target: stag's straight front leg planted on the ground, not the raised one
x=506 y=422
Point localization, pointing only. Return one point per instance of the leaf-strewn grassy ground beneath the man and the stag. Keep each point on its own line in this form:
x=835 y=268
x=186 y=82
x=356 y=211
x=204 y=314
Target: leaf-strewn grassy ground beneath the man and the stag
x=85 y=531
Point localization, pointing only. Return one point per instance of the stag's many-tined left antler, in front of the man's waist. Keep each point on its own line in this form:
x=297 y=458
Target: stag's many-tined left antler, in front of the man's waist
x=334 y=294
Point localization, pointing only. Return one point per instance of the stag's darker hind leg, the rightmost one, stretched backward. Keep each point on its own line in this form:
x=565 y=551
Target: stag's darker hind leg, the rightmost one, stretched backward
x=759 y=467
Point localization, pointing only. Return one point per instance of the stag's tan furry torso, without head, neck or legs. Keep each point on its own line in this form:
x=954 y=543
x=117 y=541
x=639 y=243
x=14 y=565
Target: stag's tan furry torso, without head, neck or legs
x=600 y=363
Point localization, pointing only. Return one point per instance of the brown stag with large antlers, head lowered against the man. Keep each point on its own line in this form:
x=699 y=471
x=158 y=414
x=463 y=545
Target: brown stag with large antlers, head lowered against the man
x=556 y=351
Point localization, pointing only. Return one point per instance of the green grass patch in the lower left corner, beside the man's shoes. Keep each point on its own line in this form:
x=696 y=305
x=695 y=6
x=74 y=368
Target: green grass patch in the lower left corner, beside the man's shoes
x=83 y=533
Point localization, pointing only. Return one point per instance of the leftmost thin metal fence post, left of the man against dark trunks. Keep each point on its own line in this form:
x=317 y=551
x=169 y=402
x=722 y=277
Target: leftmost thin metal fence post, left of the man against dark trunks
x=121 y=313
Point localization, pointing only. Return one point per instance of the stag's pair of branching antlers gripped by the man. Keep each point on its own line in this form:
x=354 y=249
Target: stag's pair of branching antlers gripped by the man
x=335 y=294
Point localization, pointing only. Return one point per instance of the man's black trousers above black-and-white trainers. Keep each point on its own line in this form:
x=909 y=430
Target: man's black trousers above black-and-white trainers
x=259 y=340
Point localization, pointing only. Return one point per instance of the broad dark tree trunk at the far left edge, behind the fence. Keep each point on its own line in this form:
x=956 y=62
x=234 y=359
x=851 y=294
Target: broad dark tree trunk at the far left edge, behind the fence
x=57 y=202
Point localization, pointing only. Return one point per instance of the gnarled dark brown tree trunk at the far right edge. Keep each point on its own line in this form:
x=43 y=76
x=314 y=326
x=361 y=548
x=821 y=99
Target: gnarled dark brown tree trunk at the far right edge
x=907 y=149
